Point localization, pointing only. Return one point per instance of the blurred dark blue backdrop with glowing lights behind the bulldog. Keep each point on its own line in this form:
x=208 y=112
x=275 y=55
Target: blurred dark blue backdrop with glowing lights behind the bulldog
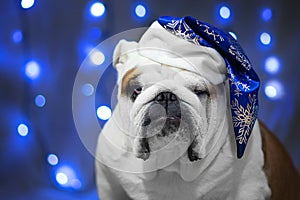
x=54 y=37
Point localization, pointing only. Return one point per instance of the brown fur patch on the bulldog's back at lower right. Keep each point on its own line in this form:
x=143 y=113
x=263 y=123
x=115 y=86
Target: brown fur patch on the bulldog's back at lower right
x=283 y=177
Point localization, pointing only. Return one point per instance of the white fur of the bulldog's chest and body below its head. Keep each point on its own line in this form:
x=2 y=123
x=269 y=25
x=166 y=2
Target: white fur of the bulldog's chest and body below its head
x=219 y=175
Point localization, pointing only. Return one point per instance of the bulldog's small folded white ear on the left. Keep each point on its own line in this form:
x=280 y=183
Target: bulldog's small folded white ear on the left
x=121 y=53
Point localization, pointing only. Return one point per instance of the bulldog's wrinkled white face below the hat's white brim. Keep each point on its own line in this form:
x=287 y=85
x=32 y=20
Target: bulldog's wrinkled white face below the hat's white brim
x=163 y=105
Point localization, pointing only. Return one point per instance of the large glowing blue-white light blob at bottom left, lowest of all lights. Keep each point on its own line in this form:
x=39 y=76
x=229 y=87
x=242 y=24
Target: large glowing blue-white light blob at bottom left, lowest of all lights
x=66 y=177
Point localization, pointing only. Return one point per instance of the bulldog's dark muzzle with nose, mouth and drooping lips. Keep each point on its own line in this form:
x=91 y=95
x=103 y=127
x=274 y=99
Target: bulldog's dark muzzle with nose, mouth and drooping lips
x=164 y=123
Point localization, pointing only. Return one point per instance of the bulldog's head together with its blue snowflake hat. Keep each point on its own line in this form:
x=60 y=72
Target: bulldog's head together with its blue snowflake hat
x=173 y=89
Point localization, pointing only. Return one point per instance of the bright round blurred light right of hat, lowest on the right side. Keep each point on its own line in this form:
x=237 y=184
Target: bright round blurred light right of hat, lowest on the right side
x=274 y=90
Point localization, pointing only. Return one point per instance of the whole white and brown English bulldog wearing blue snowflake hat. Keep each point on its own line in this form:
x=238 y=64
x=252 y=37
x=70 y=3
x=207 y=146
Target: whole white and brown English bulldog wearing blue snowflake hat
x=183 y=120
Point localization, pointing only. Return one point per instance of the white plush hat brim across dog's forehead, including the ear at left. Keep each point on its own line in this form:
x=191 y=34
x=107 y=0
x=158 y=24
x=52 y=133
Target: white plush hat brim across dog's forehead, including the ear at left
x=159 y=46
